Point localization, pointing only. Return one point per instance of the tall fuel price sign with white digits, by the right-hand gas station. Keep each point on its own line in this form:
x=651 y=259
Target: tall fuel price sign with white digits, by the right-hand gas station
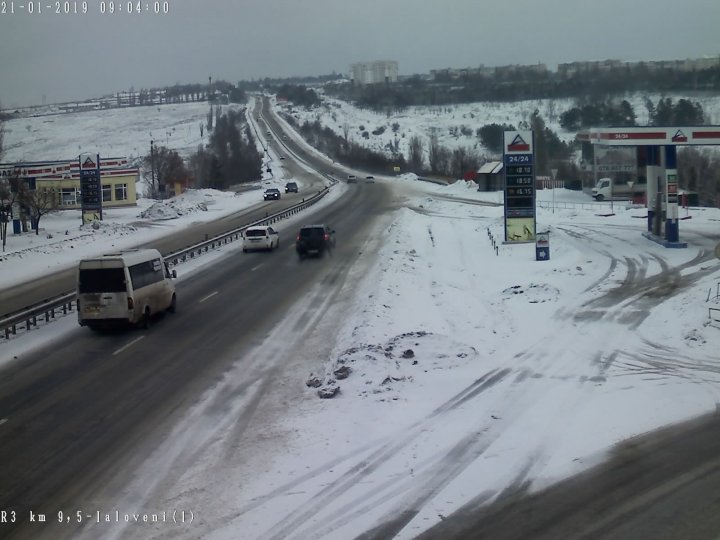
x=519 y=165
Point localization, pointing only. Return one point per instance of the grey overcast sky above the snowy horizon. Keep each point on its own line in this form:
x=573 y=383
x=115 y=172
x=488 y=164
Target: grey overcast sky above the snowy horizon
x=75 y=56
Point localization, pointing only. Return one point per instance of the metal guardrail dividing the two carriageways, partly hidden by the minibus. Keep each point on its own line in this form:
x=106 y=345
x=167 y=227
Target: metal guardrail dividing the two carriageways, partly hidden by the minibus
x=64 y=303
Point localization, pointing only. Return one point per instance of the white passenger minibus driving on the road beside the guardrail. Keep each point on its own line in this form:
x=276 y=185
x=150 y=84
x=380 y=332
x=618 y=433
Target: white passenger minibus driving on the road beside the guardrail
x=124 y=288
